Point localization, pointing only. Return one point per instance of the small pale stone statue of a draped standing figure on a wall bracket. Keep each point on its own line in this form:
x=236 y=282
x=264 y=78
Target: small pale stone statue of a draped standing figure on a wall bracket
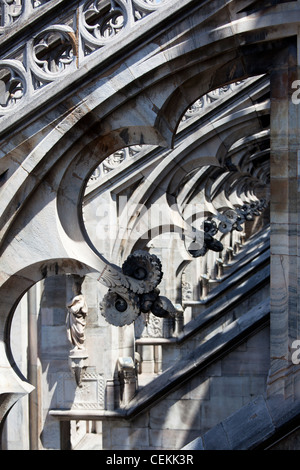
x=76 y=321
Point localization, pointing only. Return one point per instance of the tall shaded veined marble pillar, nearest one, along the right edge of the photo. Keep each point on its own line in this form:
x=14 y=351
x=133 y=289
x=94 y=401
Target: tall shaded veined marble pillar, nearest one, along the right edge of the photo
x=285 y=230
